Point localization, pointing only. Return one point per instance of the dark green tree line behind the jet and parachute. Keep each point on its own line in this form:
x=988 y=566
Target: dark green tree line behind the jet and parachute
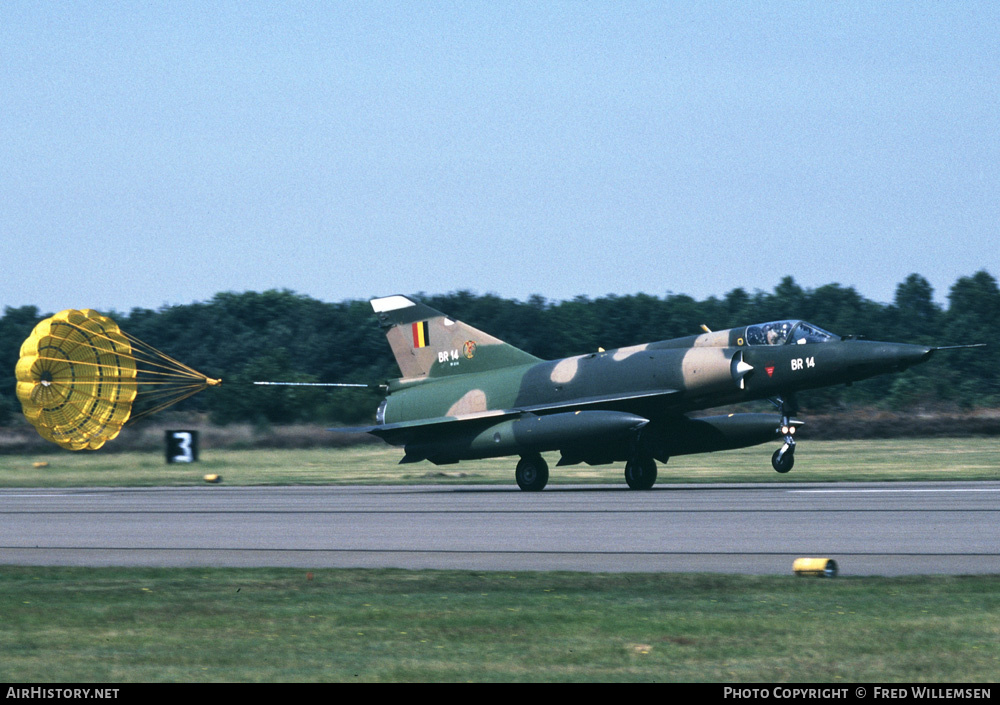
x=285 y=336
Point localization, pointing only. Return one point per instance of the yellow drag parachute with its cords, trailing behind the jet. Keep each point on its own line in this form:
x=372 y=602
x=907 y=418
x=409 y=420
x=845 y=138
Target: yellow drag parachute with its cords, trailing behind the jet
x=79 y=375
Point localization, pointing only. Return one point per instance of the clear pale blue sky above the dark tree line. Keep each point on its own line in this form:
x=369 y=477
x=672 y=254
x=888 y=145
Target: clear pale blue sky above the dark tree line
x=157 y=153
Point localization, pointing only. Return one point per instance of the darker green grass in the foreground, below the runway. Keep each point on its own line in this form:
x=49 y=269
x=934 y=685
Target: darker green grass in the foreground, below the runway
x=116 y=625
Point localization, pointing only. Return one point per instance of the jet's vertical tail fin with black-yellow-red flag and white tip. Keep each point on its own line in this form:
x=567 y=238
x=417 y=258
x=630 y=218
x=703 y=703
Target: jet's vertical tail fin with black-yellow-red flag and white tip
x=426 y=343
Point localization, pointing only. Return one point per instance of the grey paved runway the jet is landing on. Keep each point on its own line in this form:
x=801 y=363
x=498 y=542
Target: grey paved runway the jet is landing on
x=868 y=528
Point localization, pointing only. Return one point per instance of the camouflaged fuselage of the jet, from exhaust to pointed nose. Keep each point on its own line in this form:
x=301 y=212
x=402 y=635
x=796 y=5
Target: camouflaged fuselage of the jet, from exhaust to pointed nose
x=699 y=372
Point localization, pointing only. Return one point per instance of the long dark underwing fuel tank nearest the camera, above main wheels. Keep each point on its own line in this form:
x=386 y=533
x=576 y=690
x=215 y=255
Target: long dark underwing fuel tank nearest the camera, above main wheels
x=529 y=433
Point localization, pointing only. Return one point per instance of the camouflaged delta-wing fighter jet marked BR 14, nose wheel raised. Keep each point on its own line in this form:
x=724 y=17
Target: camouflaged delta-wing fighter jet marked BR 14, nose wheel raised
x=464 y=394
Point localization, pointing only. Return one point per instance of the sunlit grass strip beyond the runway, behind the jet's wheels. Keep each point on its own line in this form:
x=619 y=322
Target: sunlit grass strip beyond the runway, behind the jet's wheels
x=816 y=461
